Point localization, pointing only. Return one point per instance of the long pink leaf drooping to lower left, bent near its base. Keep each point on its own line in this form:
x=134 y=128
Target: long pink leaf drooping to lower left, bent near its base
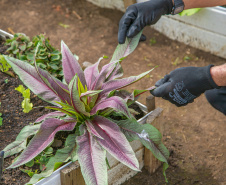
x=42 y=139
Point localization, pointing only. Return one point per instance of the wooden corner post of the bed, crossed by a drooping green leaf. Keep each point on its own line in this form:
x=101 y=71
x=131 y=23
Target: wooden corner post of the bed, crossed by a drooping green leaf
x=150 y=162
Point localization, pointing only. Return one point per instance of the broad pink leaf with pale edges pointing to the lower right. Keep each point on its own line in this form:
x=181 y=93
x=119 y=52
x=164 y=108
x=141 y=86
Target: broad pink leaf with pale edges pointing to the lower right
x=115 y=142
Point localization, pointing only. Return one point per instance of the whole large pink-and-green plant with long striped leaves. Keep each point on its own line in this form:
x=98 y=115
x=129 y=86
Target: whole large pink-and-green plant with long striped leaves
x=86 y=104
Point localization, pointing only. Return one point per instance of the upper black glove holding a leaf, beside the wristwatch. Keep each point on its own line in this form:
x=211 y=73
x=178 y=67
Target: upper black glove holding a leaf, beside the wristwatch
x=139 y=15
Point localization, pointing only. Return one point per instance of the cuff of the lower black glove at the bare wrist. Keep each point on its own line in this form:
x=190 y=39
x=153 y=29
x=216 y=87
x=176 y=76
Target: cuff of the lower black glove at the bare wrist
x=208 y=82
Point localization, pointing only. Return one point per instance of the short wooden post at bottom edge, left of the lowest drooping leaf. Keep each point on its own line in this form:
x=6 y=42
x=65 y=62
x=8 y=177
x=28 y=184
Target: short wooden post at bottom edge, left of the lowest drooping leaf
x=72 y=175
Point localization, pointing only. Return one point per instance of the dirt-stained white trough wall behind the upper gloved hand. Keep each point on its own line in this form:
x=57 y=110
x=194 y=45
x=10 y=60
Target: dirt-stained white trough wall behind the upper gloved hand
x=205 y=30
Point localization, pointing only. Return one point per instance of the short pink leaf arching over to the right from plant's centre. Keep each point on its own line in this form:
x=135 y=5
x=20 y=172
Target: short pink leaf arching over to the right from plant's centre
x=114 y=102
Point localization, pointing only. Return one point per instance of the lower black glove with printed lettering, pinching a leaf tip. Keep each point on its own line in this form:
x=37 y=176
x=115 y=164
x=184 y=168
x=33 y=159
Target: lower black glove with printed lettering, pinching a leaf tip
x=184 y=84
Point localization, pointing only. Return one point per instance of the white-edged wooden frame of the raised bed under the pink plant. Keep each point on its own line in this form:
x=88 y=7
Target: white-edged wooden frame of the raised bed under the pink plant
x=118 y=173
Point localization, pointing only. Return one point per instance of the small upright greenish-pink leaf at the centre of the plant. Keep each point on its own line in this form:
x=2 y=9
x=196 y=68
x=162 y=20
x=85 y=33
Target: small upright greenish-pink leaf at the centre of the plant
x=75 y=98
